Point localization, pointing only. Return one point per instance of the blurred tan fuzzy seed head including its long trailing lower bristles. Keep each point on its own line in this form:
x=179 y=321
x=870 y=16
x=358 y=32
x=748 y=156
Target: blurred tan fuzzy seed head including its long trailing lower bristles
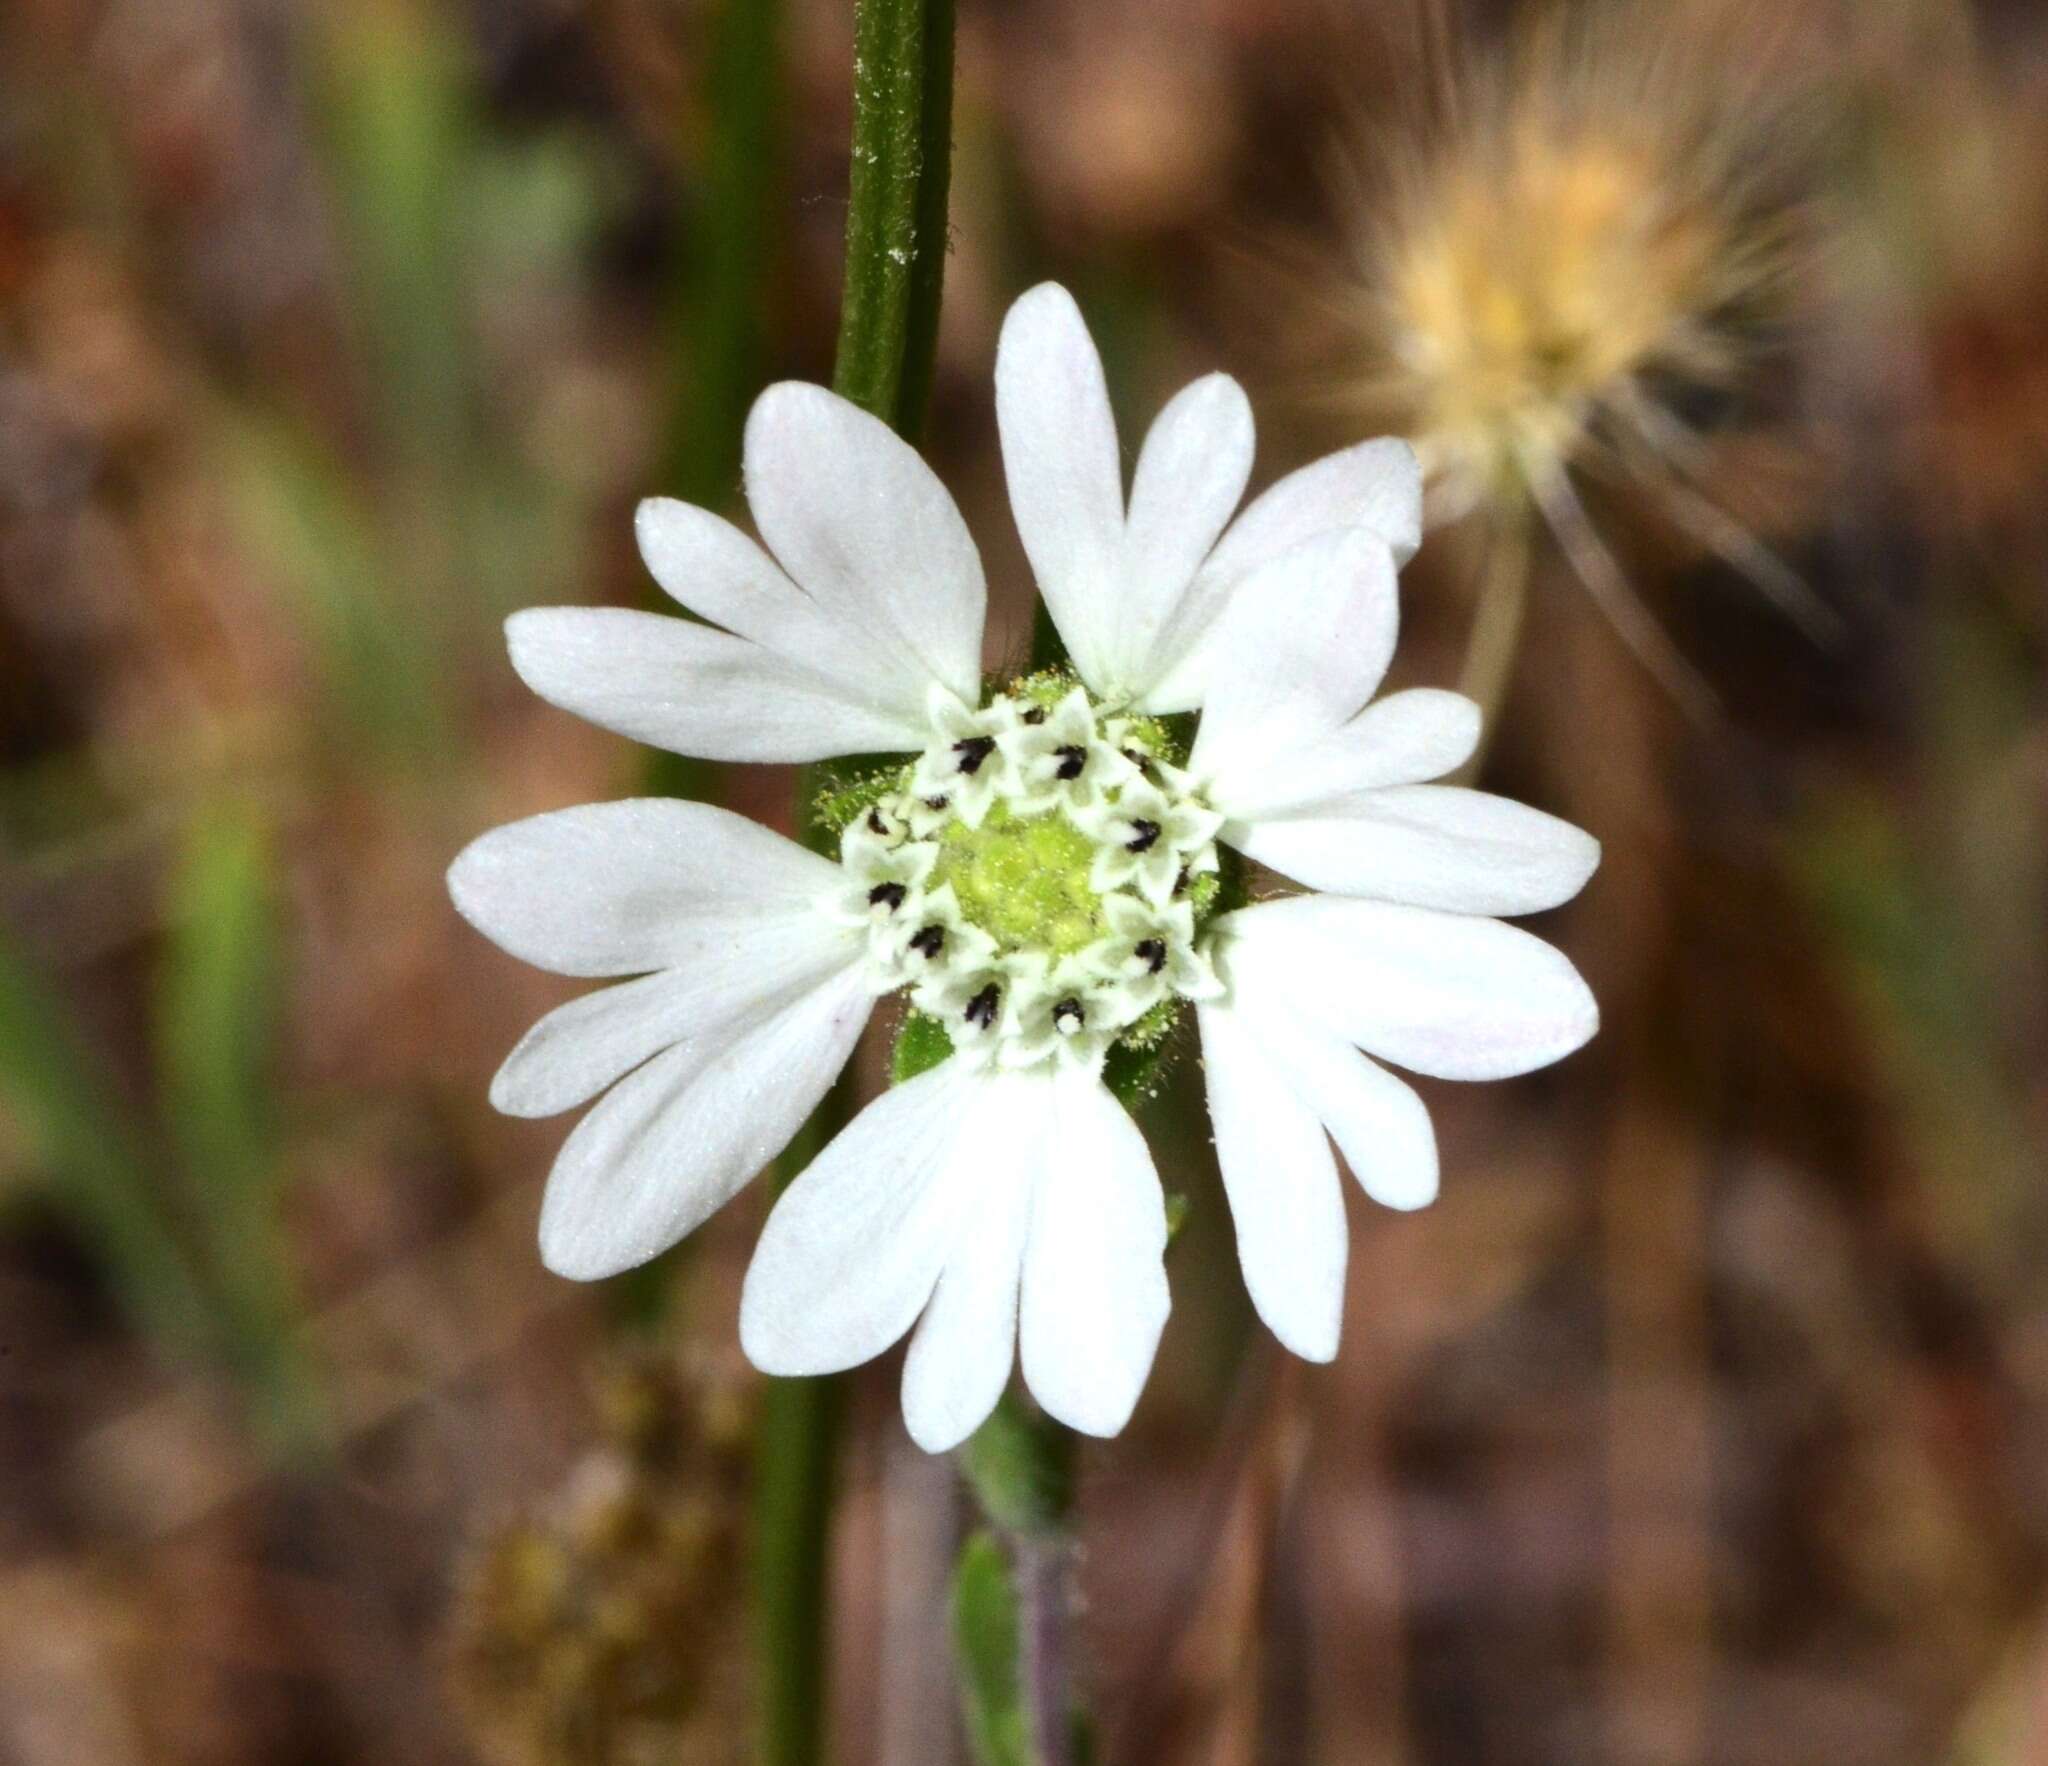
x=1592 y=247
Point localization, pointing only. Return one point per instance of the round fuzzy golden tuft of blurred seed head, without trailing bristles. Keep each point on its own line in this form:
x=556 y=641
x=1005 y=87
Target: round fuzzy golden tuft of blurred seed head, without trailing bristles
x=1580 y=239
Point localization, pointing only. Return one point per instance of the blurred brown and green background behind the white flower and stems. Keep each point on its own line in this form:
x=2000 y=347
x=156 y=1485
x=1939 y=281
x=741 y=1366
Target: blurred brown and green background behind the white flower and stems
x=1703 y=1421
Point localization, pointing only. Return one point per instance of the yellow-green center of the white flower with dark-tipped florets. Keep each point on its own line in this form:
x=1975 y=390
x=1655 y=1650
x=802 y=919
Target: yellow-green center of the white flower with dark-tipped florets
x=1039 y=878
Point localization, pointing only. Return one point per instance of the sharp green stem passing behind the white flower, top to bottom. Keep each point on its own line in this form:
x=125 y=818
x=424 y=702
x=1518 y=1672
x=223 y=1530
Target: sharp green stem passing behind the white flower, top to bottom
x=896 y=263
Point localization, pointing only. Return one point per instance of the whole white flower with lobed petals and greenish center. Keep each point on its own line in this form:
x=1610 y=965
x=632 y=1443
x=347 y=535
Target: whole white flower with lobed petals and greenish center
x=1041 y=874
